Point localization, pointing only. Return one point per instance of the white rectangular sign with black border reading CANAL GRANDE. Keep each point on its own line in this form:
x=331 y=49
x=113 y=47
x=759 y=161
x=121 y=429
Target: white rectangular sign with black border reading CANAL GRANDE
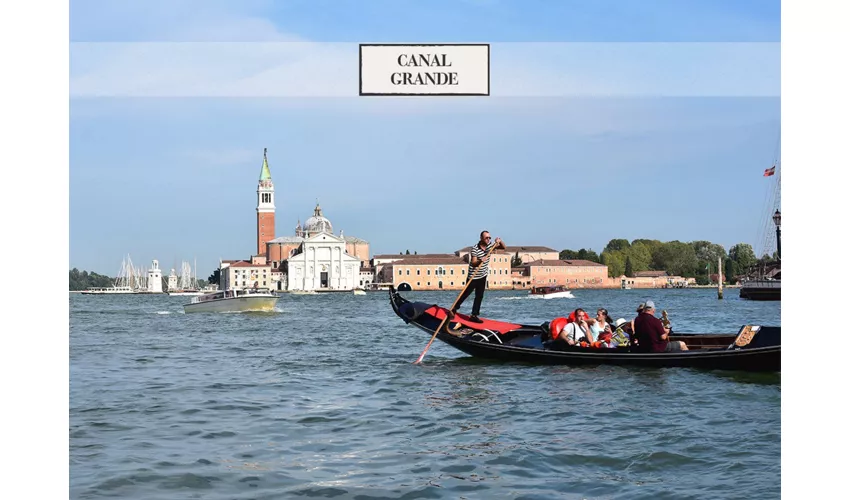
x=431 y=69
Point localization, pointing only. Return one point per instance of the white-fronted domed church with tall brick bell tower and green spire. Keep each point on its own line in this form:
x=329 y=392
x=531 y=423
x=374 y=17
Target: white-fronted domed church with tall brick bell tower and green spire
x=314 y=258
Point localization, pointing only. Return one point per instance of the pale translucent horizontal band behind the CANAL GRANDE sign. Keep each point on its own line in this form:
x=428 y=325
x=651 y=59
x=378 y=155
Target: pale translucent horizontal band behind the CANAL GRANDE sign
x=312 y=69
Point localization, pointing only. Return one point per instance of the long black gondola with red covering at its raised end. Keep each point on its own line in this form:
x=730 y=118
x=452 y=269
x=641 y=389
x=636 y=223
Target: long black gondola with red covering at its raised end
x=753 y=348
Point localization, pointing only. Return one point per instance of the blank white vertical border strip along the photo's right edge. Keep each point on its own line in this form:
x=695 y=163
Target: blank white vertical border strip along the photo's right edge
x=814 y=133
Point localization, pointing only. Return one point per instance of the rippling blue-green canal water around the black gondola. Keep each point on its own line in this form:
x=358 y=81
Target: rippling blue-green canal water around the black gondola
x=321 y=400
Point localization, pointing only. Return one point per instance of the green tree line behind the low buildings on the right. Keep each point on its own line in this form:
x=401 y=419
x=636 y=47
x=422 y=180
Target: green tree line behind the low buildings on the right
x=696 y=259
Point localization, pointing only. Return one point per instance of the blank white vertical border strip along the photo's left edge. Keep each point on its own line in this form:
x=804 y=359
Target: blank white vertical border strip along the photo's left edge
x=34 y=159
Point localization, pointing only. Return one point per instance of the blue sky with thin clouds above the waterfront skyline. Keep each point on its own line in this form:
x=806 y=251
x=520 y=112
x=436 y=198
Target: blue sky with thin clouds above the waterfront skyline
x=607 y=119
